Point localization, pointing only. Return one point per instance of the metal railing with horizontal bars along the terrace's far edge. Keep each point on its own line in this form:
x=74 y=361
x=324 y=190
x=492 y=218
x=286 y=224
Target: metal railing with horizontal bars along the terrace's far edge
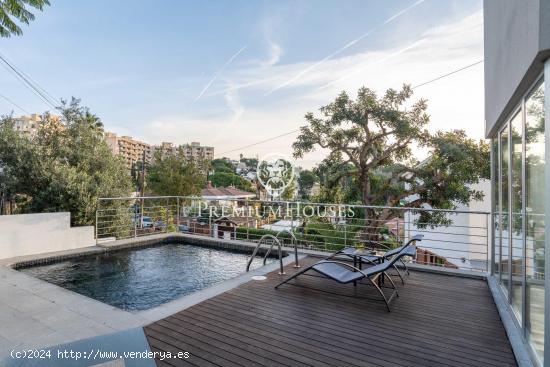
x=456 y=239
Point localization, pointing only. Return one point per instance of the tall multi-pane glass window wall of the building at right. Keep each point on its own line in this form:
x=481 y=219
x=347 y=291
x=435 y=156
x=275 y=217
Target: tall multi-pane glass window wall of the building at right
x=518 y=154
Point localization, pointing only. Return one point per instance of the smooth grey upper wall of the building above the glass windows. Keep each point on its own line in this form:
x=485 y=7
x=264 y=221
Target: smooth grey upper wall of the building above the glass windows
x=517 y=41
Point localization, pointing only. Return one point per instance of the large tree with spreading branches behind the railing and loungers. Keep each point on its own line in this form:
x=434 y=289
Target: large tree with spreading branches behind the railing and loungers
x=376 y=137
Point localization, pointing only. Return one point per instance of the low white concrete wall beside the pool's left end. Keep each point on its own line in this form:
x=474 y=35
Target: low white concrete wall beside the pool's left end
x=30 y=234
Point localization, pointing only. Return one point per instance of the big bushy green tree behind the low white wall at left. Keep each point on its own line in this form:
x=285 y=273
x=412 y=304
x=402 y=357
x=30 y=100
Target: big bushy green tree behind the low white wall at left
x=65 y=167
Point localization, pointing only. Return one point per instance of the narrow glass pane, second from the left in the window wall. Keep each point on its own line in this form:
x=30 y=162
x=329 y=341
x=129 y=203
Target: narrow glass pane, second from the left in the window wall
x=504 y=207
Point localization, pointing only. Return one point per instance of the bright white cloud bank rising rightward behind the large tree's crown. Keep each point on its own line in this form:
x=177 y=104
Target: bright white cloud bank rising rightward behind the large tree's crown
x=454 y=102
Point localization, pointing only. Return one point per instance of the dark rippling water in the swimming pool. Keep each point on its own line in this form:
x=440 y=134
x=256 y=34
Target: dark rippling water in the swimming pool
x=143 y=278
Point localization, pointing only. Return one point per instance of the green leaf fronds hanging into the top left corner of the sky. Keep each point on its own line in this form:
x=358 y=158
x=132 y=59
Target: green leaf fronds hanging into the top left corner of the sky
x=16 y=9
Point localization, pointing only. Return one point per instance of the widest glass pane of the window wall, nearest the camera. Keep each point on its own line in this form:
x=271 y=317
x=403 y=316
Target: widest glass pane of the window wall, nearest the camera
x=534 y=208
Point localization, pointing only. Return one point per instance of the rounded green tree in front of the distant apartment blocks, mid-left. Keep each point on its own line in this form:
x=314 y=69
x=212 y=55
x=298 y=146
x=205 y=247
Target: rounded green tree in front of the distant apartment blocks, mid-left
x=174 y=175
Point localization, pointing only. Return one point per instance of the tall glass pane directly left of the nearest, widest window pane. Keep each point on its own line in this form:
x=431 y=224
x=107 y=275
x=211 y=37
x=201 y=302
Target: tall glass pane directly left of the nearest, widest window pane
x=516 y=257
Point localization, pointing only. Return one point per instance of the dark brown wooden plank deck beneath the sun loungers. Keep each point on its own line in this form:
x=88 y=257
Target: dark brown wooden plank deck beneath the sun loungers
x=437 y=320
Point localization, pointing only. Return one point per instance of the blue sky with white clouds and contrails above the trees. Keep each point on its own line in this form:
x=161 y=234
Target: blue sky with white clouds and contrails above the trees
x=232 y=73
